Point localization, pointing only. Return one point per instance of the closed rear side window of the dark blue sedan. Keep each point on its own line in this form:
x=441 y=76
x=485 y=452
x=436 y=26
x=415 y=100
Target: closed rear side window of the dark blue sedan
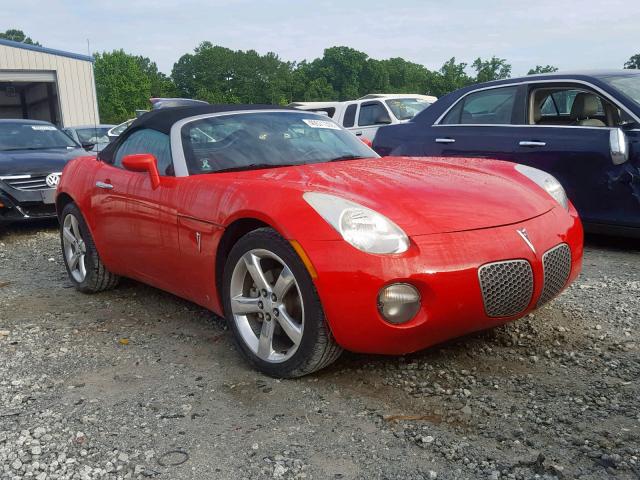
x=486 y=107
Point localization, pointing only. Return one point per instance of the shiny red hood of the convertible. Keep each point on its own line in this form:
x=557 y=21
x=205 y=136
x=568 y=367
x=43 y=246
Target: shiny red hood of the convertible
x=427 y=195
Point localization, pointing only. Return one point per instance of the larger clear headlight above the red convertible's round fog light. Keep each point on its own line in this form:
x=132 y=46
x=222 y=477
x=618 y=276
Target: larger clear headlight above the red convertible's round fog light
x=361 y=227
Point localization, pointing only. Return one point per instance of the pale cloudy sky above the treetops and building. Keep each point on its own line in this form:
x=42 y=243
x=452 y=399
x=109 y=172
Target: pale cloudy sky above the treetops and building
x=568 y=34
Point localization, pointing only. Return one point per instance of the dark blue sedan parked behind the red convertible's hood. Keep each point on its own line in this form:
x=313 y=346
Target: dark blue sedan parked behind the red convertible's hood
x=583 y=128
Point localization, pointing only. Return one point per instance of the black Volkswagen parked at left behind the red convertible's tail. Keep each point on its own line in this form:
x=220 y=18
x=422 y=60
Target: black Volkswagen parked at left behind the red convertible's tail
x=32 y=156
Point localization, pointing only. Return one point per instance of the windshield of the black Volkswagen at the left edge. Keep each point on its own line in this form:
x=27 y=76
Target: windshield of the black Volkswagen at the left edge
x=21 y=136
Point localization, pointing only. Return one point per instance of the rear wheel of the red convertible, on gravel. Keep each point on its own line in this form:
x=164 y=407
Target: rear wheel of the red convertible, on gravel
x=84 y=267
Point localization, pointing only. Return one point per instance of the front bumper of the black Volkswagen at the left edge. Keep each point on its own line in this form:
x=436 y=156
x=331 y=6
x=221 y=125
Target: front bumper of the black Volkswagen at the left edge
x=19 y=205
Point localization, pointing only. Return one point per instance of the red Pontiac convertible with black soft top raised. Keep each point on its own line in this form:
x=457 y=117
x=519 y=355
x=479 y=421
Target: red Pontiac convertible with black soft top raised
x=307 y=241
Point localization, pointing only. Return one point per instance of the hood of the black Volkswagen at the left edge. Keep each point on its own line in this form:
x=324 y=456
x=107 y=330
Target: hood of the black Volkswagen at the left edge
x=20 y=162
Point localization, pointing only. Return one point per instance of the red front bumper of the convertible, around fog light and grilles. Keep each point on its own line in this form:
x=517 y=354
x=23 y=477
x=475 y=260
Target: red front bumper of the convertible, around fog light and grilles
x=444 y=267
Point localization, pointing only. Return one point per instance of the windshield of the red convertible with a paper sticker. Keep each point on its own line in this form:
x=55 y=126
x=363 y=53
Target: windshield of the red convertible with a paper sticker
x=244 y=141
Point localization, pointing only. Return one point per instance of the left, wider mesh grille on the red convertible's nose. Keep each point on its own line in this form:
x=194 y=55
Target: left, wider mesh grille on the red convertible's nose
x=507 y=287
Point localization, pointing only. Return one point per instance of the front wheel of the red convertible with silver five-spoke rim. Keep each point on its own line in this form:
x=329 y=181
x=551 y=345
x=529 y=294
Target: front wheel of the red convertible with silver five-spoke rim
x=273 y=309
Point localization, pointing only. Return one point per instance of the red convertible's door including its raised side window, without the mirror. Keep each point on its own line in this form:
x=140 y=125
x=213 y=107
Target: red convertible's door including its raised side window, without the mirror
x=135 y=225
